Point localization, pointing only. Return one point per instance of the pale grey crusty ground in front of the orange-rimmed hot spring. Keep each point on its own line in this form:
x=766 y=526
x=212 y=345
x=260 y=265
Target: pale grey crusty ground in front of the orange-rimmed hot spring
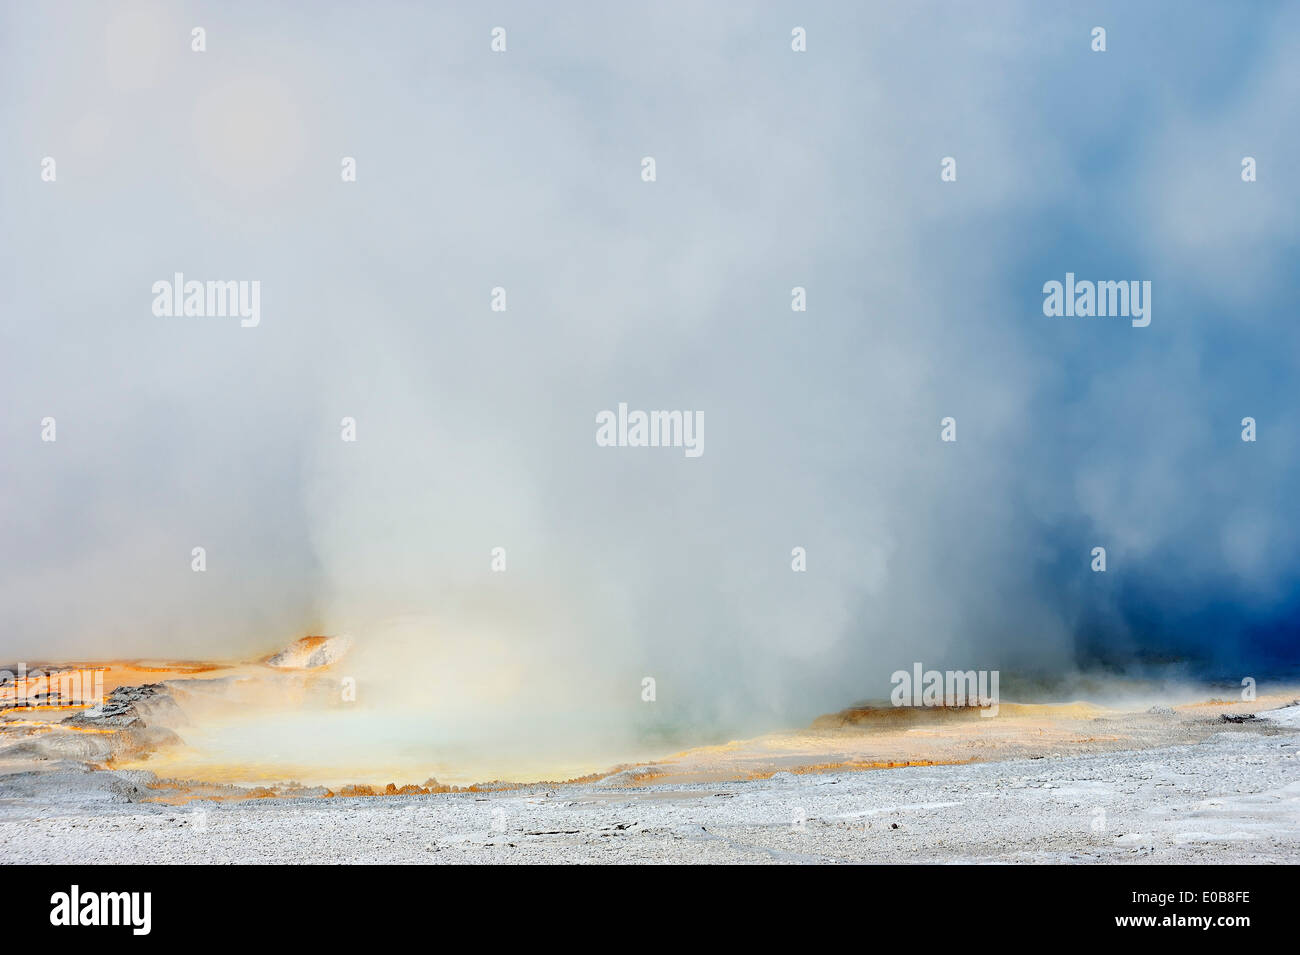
x=1233 y=796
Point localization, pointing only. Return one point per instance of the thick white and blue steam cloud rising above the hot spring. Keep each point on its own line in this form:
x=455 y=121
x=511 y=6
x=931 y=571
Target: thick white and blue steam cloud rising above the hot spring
x=476 y=429
